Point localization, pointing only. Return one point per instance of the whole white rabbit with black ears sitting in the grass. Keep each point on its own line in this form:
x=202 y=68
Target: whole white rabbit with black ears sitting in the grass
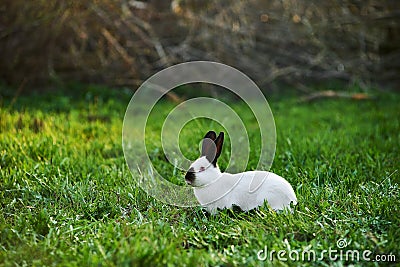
x=247 y=190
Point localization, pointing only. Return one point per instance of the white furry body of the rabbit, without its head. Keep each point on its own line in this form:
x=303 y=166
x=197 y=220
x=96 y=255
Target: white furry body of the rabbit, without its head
x=246 y=190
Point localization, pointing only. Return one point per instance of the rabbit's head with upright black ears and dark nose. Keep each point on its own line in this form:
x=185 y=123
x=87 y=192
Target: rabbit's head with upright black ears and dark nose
x=204 y=170
